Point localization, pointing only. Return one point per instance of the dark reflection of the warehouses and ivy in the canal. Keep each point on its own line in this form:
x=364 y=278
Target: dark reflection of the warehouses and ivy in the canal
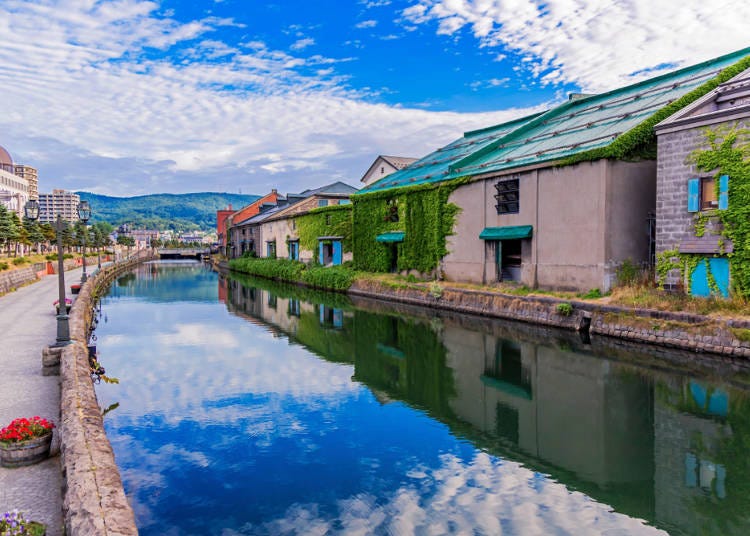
x=671 y=448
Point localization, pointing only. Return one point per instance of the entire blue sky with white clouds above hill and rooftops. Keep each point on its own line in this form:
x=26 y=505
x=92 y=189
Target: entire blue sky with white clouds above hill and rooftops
x=128 y=97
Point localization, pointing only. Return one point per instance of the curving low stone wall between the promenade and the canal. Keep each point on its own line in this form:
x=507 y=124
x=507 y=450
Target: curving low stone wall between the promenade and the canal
x=94 y=501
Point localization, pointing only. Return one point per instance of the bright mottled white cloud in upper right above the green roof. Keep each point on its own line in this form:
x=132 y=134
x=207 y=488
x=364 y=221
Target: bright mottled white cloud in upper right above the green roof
x=597 y=44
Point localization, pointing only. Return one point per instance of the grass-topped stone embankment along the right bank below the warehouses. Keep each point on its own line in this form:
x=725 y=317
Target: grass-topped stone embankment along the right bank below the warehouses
x=685 y=331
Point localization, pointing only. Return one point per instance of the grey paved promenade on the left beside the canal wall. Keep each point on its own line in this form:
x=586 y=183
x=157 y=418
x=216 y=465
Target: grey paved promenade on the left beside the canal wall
x=27 y=325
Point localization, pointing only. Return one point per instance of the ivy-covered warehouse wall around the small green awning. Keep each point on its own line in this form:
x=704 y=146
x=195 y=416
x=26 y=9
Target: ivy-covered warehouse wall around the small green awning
x=424 y=215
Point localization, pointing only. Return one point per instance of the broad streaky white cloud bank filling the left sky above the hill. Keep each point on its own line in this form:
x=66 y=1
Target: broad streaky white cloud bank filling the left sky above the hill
x=118 y=98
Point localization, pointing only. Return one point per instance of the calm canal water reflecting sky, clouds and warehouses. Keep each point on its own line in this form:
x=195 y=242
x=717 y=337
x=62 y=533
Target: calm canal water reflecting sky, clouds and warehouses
x=250 y=407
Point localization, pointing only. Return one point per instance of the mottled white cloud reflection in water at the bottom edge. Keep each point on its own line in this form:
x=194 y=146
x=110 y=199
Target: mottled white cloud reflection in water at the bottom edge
x=484 y=495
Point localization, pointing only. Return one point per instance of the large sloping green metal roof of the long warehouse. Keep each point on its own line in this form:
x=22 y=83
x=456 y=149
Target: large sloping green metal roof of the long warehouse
x=563 y=131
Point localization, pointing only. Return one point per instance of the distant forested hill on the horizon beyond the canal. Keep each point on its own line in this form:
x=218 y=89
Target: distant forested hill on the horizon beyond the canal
x=177 y=212
